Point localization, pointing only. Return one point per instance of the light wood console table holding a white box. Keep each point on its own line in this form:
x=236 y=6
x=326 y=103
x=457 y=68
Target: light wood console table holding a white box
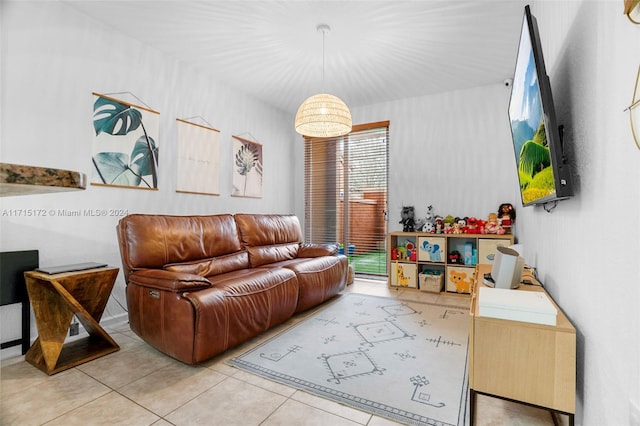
x=519 y=361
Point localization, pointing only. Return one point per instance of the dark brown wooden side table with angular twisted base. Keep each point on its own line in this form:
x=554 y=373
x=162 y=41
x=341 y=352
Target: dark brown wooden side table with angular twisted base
x=55 y=299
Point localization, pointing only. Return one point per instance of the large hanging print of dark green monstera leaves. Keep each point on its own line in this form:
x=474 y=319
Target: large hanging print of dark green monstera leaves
x=125 y=145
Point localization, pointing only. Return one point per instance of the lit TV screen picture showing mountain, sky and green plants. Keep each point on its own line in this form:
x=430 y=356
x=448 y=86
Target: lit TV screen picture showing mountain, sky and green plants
x=533 y=156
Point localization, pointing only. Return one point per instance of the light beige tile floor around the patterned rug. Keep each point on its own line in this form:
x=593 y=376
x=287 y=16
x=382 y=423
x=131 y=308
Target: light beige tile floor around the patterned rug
x=140 y=386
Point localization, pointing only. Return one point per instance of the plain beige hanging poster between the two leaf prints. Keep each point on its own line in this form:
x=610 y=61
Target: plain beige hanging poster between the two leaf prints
x=198 y=159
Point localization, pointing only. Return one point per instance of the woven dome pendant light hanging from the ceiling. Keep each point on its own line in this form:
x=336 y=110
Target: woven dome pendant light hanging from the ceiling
x=323 y=115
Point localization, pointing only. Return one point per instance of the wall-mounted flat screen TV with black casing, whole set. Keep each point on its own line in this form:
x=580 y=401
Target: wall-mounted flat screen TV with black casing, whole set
x=544 y=174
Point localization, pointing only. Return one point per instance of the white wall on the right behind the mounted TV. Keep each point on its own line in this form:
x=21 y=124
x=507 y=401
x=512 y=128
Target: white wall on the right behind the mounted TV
x=587 y=249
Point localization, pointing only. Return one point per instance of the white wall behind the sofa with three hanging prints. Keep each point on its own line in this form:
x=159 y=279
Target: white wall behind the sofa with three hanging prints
x=53 y=58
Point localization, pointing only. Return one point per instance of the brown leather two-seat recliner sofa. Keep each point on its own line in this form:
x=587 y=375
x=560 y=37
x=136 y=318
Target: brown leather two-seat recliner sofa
x=199 y=285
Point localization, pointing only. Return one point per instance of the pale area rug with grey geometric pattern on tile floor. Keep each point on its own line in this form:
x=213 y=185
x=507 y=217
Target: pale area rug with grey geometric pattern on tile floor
x=403 y=360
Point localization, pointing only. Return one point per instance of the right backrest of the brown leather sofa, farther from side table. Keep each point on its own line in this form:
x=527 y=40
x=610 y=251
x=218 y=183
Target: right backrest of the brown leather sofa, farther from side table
x=269 y=238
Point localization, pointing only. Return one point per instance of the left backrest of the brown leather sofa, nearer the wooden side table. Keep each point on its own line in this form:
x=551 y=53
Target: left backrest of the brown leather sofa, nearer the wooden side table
x=205 y=245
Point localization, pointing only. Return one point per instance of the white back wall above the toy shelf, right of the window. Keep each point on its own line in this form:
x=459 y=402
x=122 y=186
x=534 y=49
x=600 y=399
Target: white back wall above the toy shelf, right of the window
x=452 y=150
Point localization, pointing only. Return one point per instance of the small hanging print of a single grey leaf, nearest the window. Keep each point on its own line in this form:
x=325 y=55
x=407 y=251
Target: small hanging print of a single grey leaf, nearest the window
x=247 y=168
